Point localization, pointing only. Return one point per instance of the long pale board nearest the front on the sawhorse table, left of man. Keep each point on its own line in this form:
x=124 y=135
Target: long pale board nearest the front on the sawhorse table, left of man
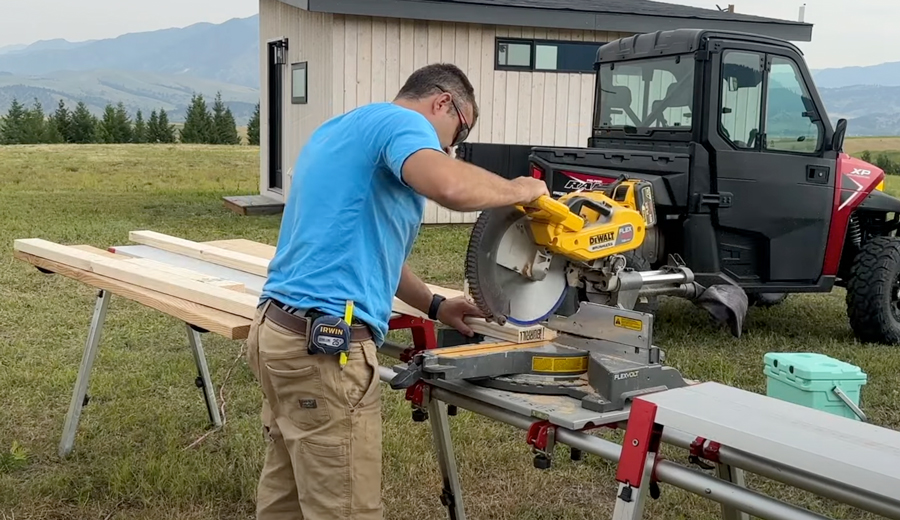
x=191 y=290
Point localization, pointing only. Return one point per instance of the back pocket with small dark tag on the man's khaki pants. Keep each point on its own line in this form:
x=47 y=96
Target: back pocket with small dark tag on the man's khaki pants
x=300 y=395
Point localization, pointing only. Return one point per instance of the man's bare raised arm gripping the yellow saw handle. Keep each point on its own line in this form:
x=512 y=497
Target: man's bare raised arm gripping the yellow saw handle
x=460 y=186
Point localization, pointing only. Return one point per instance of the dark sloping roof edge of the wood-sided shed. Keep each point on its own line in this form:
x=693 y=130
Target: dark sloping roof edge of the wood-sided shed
x=629 y=16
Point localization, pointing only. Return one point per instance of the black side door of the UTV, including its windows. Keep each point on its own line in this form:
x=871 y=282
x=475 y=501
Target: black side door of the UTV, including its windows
x=774 y=178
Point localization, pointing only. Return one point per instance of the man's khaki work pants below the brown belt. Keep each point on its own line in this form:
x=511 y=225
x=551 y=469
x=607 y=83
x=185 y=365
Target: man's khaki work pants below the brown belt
x=323 y=428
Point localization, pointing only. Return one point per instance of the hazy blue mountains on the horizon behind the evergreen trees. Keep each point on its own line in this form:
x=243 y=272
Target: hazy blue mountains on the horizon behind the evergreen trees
x=164 y=68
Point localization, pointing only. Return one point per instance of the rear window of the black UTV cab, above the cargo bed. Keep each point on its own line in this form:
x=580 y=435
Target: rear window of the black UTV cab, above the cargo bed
x=643 y=95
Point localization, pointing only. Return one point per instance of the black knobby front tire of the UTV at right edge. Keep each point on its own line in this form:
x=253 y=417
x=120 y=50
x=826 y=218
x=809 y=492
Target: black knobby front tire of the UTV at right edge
x=873 y=292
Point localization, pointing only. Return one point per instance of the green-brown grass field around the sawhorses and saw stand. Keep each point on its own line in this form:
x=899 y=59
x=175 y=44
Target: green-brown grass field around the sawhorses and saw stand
x=131 y=458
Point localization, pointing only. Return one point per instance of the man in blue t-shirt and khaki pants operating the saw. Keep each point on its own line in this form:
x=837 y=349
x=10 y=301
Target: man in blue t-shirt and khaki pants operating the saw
x=359 y=190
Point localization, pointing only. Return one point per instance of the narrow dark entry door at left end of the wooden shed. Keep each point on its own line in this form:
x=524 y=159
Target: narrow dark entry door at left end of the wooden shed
x=275 y=91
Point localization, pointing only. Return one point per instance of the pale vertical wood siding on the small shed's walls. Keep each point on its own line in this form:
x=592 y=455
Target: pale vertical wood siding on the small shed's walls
x=363 y=59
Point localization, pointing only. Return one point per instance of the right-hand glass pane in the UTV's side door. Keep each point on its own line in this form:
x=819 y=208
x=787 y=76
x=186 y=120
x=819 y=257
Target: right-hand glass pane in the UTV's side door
x=792 y=124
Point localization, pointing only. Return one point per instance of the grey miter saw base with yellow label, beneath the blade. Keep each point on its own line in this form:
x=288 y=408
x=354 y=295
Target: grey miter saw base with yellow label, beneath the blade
x=600 y=356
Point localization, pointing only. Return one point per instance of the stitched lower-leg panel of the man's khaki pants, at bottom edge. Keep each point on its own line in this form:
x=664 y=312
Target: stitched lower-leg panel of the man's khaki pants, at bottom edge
x=323 y=478
